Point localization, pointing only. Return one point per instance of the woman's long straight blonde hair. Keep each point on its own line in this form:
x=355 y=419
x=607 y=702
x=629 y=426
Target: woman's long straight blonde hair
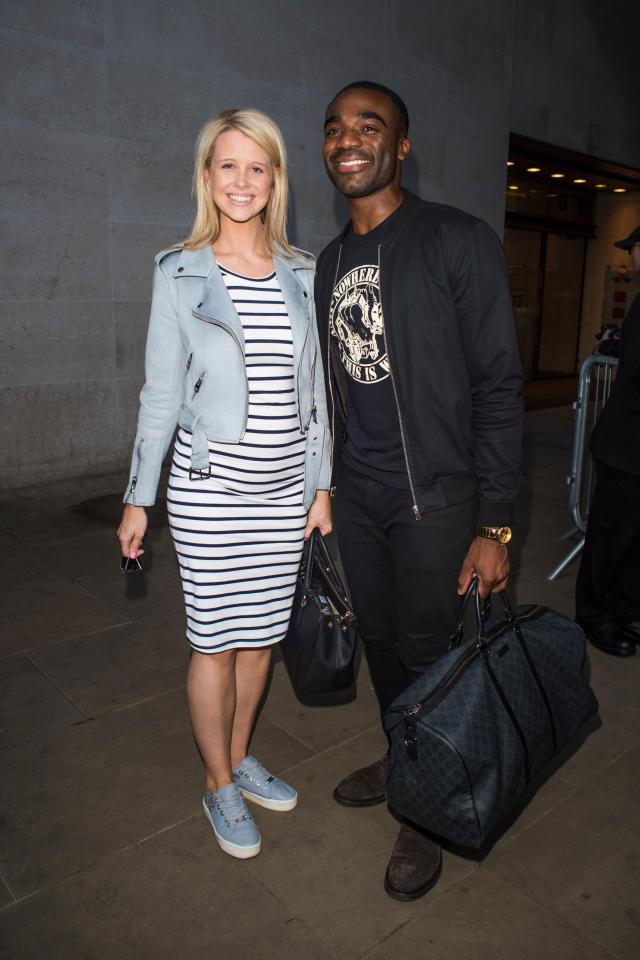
x=263 y=131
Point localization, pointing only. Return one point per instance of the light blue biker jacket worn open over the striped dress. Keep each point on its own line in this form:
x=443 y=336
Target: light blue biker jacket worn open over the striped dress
x=195 y=369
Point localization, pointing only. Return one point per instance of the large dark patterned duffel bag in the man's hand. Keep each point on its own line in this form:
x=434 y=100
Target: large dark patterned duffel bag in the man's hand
x=469 y=735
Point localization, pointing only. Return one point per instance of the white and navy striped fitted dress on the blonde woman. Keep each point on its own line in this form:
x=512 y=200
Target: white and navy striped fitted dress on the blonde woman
x=239 y=533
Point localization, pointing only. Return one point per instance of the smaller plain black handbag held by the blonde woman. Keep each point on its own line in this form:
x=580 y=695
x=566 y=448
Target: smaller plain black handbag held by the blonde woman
x=319 y=647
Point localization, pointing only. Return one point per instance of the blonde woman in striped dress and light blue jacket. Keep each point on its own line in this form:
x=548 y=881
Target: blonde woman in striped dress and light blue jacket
x=232 y=360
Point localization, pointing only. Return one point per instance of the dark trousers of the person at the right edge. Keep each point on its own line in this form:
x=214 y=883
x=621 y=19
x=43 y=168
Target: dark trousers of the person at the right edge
x=608 y=582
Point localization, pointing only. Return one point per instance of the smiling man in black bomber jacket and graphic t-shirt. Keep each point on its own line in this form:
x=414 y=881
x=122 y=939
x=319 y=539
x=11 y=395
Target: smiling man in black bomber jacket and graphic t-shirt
x=424 y=381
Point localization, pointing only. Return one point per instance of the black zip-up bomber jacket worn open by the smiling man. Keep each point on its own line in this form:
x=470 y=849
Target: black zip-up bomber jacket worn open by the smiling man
x=451 y=345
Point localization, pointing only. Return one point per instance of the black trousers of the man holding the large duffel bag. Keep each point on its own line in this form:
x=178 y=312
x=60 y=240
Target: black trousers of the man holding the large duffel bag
x=402 y=573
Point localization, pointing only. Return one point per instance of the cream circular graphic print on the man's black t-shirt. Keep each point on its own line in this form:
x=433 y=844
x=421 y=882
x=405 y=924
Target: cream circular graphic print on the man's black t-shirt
x=358 y=326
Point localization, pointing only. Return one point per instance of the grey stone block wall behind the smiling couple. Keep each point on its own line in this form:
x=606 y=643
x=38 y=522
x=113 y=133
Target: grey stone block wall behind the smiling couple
x=99 y=108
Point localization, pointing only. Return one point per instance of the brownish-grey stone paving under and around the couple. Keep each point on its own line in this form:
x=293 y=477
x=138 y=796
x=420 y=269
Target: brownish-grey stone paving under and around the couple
x=105 y=852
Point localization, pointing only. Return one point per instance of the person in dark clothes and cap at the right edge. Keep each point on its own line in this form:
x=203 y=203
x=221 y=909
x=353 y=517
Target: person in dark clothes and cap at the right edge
x=608 y=581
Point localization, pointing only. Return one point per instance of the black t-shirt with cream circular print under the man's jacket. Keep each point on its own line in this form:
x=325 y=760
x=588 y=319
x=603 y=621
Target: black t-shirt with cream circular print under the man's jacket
x=373 y=443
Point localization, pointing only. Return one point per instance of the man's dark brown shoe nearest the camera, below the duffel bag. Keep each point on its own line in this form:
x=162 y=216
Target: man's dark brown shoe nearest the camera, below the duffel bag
x=415 y=865
